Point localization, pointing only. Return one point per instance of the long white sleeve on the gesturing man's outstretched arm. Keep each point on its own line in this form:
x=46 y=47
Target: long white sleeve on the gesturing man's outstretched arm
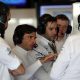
x=31 y=70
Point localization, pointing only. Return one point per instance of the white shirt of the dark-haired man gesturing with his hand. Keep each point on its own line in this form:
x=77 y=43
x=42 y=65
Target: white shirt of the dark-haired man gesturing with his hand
x=29 y=62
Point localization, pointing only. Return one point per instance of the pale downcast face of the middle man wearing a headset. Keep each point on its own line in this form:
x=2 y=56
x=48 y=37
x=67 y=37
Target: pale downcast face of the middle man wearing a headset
x=50 y=32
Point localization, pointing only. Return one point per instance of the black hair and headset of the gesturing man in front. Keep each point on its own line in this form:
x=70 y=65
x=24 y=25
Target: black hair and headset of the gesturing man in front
x=20 y=31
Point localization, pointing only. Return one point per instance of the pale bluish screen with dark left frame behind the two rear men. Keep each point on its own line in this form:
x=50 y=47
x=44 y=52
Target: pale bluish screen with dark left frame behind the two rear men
x=54 y=10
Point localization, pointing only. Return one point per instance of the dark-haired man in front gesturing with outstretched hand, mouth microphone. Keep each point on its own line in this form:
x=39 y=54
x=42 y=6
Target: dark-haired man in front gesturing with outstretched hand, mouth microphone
x=25 y=39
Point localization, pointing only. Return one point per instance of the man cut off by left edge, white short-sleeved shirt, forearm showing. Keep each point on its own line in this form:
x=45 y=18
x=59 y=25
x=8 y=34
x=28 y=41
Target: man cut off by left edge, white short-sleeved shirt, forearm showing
x=9 y=63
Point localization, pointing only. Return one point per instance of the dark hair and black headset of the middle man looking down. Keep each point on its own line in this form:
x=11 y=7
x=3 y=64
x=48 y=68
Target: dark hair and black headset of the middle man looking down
x=43 y=20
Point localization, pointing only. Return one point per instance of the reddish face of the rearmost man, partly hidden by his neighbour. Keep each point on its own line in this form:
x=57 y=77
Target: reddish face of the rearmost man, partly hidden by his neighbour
x=62 y=24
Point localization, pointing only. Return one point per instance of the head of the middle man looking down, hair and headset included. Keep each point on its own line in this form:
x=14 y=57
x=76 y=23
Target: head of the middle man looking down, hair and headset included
x=47 y=26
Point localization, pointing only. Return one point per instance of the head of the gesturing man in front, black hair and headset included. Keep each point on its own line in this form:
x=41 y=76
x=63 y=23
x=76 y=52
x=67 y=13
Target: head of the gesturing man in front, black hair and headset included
x=25 y=36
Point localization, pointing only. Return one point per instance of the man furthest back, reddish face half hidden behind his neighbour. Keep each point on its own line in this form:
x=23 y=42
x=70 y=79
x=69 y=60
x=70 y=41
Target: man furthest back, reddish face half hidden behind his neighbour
x=64 y=29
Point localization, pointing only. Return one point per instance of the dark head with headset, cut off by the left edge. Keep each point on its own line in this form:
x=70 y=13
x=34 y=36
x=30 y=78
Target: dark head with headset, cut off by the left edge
x=4 y=15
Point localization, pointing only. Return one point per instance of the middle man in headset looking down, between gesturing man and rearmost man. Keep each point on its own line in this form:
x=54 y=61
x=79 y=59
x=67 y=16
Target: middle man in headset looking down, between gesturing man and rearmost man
x=46 y=33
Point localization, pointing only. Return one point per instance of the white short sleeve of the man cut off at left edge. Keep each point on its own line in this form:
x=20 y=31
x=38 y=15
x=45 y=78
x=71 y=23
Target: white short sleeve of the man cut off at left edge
x=8 y=58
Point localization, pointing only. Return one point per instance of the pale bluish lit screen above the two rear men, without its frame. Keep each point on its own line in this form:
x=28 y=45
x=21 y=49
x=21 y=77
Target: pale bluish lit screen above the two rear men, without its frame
x=55 y=9
